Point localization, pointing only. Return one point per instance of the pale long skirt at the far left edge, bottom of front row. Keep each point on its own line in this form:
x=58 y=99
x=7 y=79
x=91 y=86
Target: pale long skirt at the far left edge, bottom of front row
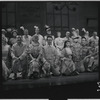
x=5 y=71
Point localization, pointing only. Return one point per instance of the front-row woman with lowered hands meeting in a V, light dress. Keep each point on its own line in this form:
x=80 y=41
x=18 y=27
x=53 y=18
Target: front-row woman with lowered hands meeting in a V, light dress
x=36 y=61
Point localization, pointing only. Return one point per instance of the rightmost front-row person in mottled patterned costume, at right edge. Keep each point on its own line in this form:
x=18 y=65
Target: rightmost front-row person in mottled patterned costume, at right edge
x=92 y=59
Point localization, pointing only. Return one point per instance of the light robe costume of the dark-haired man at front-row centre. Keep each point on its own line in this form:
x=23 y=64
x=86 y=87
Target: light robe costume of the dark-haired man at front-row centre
x=51 y=56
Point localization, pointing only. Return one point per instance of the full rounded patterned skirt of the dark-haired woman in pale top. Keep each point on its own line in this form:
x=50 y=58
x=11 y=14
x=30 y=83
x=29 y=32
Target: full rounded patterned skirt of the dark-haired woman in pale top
x=67 y=66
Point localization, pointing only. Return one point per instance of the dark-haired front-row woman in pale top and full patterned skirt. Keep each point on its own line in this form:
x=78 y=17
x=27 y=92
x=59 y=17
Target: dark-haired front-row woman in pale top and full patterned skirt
x=68 y=66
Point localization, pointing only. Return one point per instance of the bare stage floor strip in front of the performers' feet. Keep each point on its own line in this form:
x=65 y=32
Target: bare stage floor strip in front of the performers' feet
x=51 y=81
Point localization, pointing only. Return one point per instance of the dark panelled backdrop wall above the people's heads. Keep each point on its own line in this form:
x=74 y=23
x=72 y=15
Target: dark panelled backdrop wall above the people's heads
x=61 y=16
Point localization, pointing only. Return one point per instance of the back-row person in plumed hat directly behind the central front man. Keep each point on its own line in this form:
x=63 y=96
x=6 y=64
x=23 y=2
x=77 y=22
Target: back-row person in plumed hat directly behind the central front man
x=48 y=32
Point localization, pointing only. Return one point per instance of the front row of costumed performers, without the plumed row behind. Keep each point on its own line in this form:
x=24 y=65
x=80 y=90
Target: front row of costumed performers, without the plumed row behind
x=35 y=61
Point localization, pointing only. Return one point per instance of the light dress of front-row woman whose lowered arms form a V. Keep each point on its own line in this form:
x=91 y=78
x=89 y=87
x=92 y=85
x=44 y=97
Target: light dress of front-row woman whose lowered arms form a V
x=35 y=53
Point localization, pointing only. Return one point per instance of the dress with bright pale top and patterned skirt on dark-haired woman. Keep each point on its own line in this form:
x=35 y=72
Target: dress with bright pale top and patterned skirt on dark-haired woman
x=68 y=65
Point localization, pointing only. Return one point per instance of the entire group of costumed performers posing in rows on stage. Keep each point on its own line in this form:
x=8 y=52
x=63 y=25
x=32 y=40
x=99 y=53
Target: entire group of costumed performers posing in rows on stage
x=40 y=56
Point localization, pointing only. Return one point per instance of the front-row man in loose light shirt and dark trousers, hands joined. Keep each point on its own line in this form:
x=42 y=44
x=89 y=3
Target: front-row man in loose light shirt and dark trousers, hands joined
x=19 y=57
